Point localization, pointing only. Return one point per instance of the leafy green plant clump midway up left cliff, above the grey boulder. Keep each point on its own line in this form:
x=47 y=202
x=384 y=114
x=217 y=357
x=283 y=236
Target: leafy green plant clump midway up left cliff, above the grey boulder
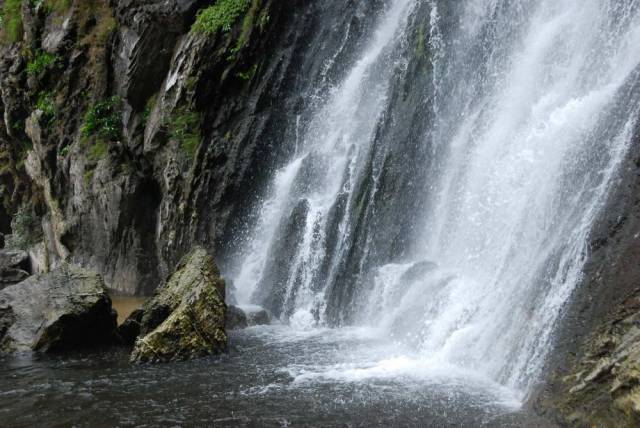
x=104 y=120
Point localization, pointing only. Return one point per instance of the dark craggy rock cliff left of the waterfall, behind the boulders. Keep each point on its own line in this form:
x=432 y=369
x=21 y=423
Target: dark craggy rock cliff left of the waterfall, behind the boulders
x=132 y=207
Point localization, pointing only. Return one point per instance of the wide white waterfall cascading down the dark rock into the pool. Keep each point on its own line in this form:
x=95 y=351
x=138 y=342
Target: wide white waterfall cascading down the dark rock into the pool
x=445 y=188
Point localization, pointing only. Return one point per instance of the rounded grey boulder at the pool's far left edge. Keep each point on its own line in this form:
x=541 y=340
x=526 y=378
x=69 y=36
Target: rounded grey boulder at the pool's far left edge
x=63 y=310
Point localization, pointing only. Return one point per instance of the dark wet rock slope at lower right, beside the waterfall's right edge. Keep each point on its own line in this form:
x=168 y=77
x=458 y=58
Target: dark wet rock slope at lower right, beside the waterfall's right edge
x=594 y=370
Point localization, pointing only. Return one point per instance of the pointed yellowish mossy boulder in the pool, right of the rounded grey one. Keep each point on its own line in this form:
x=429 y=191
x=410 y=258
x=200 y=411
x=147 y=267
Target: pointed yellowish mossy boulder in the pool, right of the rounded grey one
x=186 y=317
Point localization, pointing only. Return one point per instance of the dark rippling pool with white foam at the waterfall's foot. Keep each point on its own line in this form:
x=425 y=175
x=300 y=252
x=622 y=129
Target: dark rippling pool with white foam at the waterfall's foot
x=268 y=379
